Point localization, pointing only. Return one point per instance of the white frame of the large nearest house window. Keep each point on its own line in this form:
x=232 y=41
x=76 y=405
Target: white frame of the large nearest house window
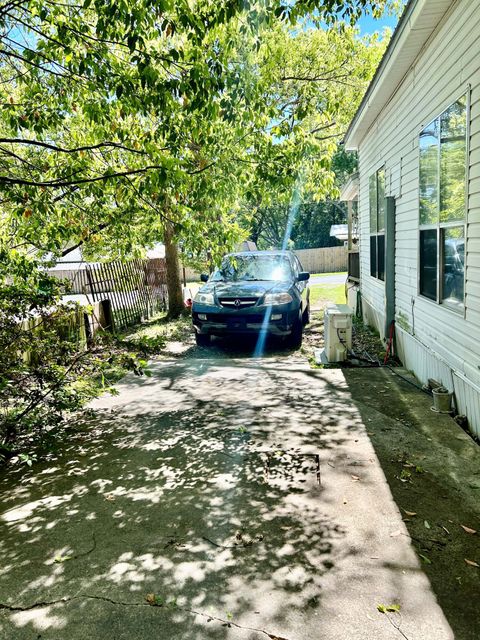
x=459 y=308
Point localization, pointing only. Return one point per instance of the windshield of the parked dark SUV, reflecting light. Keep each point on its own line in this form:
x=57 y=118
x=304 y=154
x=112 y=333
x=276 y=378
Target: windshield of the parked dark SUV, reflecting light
x=254 y=267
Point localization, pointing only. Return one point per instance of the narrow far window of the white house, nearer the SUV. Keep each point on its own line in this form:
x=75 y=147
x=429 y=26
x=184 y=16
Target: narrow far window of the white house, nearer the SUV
x=377 y=224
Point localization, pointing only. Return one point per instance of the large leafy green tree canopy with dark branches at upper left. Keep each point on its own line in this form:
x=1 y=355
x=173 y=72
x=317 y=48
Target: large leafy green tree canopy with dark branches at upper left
x=119 y=119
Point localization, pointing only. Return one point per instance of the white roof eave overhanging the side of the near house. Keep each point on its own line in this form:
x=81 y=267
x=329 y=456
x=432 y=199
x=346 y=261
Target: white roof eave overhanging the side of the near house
x=419 y=20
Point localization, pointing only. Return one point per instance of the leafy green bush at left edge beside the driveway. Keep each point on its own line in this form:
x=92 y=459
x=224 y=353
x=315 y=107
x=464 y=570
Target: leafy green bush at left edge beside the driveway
x=47 y=370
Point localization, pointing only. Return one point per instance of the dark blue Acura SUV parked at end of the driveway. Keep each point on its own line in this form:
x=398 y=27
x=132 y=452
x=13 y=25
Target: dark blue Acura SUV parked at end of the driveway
x=253 y=291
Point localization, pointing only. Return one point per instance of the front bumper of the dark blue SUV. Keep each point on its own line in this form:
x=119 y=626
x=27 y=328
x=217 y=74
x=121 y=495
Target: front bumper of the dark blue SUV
x=277 y=320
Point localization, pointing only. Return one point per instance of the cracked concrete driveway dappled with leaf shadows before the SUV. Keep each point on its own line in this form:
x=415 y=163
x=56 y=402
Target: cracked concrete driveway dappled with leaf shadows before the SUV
x=218 y=499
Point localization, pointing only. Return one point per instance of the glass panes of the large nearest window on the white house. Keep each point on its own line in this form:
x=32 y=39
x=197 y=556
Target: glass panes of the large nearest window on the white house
x=442 y=205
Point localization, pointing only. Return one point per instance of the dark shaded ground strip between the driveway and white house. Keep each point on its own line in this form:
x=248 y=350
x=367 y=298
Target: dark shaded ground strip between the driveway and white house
x=433 y=470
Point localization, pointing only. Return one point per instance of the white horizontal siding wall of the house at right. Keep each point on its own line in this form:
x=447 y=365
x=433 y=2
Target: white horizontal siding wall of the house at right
x=433 y=341
